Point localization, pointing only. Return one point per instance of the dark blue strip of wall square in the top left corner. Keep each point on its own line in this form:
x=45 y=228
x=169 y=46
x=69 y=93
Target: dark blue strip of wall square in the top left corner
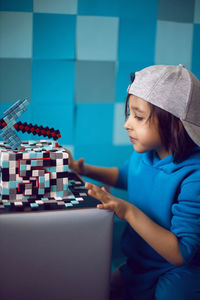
x=16 y=5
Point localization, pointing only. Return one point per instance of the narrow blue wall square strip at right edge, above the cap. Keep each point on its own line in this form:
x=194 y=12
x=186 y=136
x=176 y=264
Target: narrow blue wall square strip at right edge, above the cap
x=196 y=51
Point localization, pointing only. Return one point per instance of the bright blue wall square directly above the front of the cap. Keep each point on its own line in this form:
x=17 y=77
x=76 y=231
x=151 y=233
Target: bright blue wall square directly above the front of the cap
x=137 y=40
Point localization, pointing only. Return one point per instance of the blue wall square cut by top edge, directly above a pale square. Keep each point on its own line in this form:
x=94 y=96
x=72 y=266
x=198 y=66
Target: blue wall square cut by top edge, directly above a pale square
x=99 y=7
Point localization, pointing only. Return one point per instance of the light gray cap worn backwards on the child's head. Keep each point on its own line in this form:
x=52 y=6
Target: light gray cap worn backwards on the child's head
x=174 y=89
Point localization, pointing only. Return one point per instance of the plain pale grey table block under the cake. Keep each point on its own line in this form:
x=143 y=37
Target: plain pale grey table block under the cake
x=56 y=255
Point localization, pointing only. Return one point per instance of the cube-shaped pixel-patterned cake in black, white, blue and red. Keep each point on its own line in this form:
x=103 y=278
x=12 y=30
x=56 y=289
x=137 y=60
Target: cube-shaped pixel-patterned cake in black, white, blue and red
x=39 y=170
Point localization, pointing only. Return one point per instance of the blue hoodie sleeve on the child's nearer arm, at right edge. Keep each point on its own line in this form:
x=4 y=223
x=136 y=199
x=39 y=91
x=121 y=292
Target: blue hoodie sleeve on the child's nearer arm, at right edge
x=186 y=219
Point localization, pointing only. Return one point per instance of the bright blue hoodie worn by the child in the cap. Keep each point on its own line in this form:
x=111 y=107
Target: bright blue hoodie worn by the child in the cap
x=169 y=193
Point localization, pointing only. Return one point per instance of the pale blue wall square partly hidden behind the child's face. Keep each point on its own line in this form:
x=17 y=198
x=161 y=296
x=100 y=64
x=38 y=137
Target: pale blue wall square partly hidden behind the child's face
x=120 y=135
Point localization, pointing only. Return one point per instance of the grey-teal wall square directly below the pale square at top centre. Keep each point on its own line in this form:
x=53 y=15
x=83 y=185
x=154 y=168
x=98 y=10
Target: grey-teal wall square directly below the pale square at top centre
x=95 y=82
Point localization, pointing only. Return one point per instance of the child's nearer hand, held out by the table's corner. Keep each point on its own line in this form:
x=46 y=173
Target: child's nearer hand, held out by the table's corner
x=108 y=201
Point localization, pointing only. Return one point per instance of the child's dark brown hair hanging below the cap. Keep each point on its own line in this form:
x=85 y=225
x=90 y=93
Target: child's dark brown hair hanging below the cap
x=173 y=135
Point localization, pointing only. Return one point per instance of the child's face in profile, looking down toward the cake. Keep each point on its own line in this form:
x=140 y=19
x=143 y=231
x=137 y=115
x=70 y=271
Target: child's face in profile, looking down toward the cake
x=143 y=129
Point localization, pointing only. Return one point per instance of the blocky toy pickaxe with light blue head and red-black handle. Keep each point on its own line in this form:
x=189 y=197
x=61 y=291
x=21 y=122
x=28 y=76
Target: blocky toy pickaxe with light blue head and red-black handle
x=8 y=124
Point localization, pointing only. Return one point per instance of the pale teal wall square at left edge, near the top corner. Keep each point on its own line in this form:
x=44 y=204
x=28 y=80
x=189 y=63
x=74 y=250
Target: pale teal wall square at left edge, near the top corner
x=16 y=34
